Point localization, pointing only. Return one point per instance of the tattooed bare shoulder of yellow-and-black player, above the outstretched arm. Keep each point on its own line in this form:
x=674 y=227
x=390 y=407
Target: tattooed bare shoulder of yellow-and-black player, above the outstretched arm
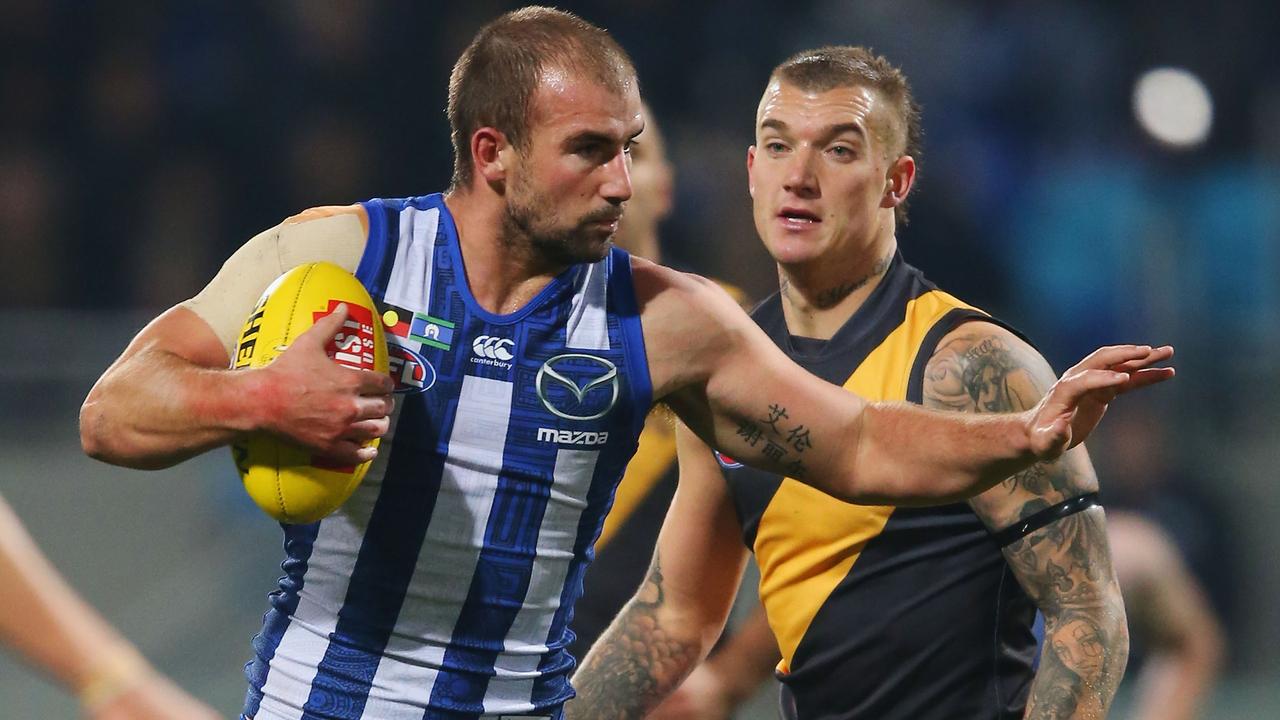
x=981 y=367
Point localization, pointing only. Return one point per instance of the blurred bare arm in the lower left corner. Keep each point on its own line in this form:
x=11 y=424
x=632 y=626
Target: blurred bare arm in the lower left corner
x=57 y=632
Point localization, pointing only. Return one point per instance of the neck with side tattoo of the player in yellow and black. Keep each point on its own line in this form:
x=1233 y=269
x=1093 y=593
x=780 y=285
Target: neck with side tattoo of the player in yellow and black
x=820 y=298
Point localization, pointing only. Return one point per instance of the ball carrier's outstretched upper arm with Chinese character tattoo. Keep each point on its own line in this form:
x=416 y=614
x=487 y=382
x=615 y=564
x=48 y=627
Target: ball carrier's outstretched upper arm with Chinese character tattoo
x=739 y=393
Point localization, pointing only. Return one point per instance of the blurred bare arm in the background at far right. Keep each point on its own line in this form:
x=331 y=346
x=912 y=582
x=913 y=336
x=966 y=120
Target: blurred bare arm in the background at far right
x=1169 y=610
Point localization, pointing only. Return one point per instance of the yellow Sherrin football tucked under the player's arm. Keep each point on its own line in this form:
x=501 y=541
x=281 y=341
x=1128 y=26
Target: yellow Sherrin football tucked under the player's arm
x=282 y=479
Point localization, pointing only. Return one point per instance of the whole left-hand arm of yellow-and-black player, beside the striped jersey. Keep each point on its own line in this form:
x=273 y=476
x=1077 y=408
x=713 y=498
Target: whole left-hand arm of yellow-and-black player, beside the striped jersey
x=680 y=609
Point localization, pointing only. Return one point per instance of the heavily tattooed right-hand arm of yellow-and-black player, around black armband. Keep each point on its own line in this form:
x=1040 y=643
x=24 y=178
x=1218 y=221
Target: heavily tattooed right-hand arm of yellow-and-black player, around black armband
x=1064 y=567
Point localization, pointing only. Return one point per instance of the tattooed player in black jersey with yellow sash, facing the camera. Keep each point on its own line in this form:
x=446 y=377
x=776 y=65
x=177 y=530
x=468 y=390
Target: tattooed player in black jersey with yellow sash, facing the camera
x=880 y=612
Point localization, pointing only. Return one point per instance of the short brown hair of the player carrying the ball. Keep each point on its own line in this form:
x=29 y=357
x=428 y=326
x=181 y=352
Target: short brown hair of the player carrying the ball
x=495 y=80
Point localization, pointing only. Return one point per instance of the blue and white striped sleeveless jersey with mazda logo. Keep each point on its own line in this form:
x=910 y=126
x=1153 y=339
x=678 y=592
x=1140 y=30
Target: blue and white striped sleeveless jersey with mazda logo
x=445 y=587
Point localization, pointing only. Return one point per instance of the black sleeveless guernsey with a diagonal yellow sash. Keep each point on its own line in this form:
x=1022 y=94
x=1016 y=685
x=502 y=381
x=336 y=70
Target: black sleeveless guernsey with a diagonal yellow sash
x=884 y=613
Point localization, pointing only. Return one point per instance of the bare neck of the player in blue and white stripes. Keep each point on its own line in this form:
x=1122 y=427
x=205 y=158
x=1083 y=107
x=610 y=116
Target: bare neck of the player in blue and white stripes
x=504 y=270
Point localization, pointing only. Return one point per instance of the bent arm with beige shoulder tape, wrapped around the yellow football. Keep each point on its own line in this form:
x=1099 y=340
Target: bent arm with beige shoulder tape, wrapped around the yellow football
x=171 y=397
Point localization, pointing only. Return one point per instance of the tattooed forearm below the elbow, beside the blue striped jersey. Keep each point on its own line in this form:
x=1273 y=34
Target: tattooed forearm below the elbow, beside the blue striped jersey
x=637 y=662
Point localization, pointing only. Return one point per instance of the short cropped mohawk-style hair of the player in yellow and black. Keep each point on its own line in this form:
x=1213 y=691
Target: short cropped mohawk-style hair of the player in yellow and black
x=847 y=66
